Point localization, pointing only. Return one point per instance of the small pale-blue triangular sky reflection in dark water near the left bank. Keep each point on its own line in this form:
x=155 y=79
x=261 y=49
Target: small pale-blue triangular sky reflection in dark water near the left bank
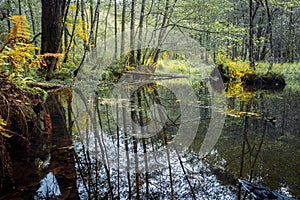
x=49 y=188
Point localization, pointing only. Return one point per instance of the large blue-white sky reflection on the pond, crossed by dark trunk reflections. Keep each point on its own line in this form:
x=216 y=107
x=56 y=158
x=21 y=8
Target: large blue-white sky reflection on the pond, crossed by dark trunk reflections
x=197 y=171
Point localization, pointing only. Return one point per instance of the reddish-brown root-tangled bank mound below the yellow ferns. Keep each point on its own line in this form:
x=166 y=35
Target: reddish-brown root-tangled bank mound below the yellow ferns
x=23 y=116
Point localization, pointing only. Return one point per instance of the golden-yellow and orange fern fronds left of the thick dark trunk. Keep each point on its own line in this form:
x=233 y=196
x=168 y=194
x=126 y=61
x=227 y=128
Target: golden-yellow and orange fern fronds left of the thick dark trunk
x=18 y=53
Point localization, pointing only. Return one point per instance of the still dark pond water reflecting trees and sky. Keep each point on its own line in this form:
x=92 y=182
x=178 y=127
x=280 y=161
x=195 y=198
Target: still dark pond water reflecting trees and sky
x=119 y=154
